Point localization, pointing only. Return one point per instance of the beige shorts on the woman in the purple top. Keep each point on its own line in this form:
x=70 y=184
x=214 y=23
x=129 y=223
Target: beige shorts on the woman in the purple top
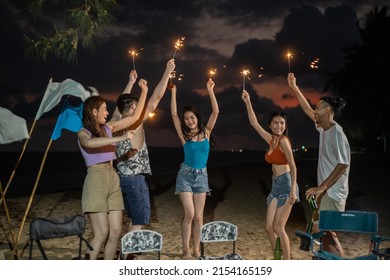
x=101 y=190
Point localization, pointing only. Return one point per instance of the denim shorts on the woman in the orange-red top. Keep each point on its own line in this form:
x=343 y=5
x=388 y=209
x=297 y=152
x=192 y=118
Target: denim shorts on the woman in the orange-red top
x=281 y=187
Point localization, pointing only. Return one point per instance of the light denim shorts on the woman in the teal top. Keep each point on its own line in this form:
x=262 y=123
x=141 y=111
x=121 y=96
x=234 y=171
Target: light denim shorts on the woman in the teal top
x=192 y=180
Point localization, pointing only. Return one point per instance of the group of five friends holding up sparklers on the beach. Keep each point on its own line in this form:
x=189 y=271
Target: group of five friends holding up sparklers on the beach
x=117 y=159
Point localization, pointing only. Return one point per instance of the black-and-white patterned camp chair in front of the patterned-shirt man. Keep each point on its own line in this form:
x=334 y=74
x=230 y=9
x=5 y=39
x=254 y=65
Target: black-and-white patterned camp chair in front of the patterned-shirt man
x=139 y=241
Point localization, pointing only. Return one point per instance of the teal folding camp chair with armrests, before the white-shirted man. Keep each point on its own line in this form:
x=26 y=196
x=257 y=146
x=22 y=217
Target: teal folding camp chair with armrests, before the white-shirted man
x=359 y=222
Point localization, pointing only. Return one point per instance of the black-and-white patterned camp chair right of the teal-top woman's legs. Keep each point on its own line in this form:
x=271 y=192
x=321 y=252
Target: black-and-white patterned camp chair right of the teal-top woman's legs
x=219 y=231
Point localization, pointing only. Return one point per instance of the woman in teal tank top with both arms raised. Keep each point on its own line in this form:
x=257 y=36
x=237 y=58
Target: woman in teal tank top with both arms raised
x=192 y=180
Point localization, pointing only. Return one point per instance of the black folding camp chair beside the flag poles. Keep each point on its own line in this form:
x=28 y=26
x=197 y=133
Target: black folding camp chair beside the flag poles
x=49 y=228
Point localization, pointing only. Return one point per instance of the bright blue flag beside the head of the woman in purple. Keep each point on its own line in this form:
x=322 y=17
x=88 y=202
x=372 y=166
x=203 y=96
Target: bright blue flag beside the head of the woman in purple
x=70 y=119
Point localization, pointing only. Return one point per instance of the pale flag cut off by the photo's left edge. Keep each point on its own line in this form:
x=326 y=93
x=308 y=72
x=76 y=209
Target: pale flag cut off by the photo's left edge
x=12 y=127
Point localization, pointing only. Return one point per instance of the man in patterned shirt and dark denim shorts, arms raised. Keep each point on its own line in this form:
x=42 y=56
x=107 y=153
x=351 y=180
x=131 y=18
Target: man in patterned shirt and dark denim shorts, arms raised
x=133 y=159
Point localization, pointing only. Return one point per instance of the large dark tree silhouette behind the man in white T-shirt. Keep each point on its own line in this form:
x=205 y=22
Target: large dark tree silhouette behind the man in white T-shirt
x=364 y=82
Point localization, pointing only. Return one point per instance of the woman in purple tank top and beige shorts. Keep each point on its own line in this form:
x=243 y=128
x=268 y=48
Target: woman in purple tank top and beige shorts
x=101 y=198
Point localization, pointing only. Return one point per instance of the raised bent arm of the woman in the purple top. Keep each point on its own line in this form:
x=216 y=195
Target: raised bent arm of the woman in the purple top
x=129 y=120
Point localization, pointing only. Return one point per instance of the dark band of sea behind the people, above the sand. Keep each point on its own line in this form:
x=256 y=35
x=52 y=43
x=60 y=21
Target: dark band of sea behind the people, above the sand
x=66 y=170
